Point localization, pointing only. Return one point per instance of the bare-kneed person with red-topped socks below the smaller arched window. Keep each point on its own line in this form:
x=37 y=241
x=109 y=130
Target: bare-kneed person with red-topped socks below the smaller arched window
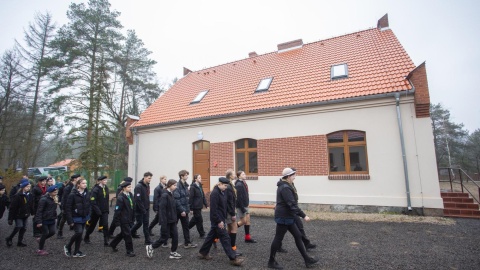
x=243 y=201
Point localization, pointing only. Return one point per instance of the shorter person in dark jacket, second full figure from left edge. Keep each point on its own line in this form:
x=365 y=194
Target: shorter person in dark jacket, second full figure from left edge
x=45 y=217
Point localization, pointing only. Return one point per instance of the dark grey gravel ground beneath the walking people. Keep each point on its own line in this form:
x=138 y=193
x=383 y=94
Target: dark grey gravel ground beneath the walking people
x=342 y=244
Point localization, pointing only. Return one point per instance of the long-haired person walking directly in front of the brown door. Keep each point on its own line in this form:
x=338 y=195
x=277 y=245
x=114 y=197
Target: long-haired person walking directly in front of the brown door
x=197 y=201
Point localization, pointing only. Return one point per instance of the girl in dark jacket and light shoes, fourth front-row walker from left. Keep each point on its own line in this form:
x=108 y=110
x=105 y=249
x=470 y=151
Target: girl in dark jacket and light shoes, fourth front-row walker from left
x=77 y=210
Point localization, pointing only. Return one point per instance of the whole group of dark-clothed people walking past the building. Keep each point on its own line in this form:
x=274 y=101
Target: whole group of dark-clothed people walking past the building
x=173 y=202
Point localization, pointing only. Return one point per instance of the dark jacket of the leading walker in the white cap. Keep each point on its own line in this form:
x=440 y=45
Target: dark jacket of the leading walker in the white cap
x=287 y=206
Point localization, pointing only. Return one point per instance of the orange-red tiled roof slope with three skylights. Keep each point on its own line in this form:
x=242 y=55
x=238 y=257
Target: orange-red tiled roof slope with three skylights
x=377 y=64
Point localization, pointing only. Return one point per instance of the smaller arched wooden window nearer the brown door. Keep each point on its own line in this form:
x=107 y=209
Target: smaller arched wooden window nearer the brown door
x=246 y=156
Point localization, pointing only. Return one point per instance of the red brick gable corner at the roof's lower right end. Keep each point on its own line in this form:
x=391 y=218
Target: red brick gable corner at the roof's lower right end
x=418 y=77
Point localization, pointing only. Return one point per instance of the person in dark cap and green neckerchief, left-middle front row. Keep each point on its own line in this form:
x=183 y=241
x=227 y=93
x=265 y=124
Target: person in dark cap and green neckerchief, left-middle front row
x=125 y=217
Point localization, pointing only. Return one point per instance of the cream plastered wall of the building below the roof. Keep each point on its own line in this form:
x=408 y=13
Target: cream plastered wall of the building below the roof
x=167 y=150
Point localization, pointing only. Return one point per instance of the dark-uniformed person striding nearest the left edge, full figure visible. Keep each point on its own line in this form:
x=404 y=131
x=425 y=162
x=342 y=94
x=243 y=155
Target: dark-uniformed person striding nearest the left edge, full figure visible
x=20 y=209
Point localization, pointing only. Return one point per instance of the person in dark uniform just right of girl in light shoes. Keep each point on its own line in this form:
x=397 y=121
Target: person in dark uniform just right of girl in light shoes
x=99 y=199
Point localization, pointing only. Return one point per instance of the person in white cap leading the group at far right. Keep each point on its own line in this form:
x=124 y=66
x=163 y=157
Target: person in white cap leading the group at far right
x=285 y=211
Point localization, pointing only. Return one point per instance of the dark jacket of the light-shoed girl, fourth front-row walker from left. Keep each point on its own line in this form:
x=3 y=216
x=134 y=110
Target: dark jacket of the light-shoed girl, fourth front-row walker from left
x=78 y=207
